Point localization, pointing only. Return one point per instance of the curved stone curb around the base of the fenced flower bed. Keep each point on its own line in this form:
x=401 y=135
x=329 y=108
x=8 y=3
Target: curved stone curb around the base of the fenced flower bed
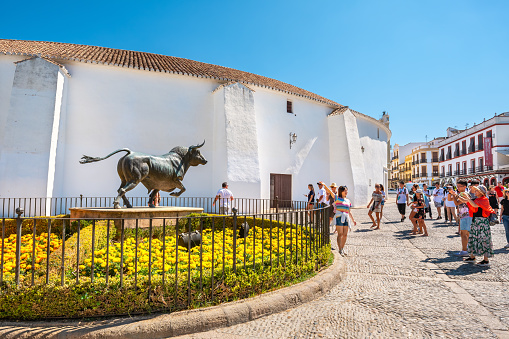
x=186 y=322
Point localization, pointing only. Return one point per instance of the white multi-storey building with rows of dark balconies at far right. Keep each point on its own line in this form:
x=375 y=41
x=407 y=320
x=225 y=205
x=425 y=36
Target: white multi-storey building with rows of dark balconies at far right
x=479 y=152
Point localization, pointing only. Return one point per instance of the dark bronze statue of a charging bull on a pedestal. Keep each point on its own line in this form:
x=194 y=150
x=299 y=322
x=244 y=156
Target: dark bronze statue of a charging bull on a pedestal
x=157 y=173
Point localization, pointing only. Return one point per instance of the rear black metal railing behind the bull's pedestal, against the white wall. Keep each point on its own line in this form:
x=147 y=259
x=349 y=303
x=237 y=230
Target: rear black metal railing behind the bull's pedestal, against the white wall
x=61 y=205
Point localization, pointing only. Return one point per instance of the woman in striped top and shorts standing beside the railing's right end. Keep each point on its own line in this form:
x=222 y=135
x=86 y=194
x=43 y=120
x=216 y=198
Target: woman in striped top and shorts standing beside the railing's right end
x=343 y=215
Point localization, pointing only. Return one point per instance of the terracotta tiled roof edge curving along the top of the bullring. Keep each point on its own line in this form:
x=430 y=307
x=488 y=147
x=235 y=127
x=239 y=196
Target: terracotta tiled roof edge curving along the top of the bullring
x=148 y=61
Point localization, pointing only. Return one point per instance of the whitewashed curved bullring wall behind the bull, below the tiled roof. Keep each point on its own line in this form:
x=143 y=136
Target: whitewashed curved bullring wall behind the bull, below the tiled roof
x=105 y=108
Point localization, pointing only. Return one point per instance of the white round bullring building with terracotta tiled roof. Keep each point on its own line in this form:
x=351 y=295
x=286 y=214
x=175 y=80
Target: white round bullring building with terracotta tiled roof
x=59 y=101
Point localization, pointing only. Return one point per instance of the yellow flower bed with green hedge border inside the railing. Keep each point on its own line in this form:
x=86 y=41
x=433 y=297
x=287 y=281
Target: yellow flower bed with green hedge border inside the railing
x=273 y=255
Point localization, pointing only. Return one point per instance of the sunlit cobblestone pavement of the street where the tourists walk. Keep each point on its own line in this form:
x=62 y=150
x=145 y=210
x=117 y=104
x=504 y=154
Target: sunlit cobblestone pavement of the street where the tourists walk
x=399 y=286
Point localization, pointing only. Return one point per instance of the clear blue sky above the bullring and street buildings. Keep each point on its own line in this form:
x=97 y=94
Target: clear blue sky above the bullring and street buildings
x=430 y=64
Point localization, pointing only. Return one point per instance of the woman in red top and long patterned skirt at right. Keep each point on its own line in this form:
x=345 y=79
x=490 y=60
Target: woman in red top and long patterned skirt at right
x=479 y=241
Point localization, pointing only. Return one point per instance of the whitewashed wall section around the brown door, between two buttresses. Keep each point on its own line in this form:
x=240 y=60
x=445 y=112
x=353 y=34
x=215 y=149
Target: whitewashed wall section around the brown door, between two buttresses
x=307 y=161
